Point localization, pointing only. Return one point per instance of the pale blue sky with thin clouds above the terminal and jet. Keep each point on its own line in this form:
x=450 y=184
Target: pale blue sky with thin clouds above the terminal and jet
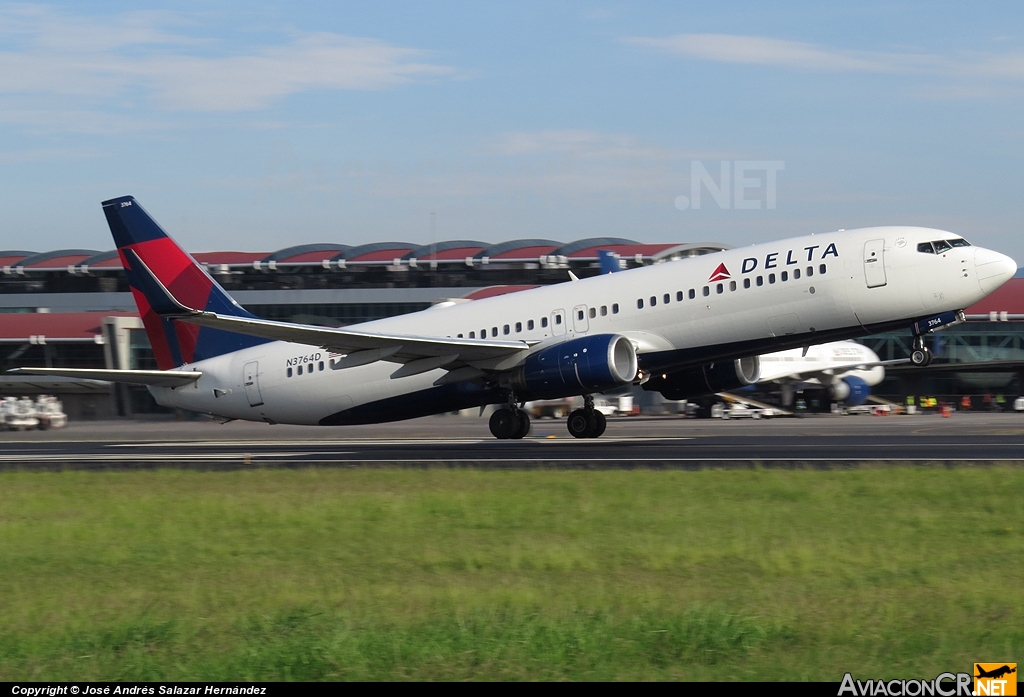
x=257 y=126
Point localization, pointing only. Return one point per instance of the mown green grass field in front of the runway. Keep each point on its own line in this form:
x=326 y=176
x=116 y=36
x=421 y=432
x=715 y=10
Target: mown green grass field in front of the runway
x=456 y=575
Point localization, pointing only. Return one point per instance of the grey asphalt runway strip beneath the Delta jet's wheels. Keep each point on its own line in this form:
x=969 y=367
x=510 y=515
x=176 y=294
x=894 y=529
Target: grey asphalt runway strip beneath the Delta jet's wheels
x=817 y=442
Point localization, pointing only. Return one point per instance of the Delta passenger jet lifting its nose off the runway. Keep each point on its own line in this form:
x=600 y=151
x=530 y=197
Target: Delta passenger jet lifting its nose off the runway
x=686 y=329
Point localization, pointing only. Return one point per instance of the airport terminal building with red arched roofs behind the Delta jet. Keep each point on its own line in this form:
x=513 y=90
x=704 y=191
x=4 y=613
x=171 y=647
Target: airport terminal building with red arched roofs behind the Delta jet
x=73 y=309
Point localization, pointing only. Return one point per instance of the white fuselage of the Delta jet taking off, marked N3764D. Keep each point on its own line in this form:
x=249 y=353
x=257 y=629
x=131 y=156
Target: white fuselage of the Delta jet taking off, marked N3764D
x=726 y=319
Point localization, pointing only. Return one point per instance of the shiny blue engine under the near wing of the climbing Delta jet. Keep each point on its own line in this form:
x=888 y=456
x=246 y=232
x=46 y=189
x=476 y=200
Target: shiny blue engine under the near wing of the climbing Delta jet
x=577 y=367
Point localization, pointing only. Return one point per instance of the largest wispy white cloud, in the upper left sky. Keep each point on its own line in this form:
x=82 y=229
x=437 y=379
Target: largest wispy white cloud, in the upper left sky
x=136 y=57
